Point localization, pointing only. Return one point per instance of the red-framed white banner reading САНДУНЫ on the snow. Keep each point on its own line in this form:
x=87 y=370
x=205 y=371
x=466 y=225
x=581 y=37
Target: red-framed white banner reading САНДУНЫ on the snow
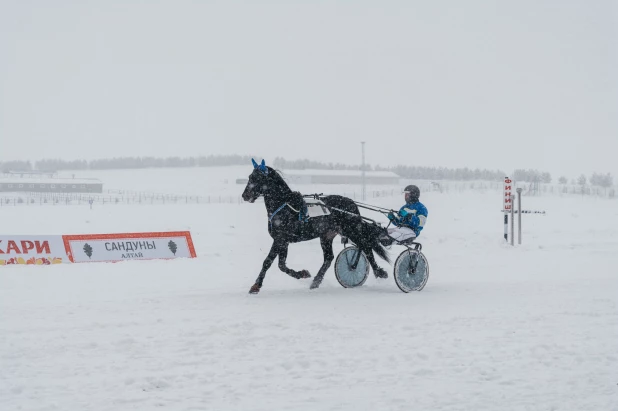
x=128 y=246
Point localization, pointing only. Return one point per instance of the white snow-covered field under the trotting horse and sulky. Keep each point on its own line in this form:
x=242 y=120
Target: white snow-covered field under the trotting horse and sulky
x=531 y=327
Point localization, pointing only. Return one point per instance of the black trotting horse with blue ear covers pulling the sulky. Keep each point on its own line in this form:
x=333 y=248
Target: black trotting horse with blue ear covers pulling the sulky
x=287 y=224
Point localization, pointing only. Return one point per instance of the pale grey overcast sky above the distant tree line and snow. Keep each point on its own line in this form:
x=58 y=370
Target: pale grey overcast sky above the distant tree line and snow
x=489 y=84
